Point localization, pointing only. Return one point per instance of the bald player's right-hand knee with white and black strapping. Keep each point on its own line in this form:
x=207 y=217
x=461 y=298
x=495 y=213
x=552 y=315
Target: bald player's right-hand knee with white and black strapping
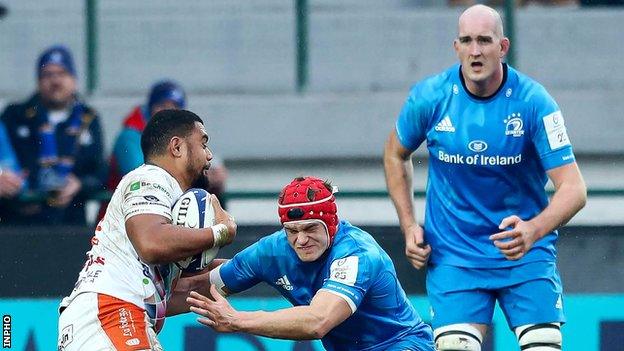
x=539 y=337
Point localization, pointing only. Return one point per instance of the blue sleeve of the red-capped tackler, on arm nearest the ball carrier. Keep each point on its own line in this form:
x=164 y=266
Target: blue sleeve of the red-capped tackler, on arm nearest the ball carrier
x=240 y=273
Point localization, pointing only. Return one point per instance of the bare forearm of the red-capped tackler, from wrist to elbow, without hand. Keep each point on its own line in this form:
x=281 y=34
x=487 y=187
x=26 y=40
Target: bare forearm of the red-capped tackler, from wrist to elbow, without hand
x=297 y=323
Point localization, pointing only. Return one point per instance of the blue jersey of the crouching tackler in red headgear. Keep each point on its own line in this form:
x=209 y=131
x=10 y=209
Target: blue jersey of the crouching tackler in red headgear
x=355 y=268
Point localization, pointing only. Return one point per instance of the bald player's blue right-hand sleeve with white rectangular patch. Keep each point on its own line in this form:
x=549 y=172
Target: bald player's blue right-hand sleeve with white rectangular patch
x=549 y=136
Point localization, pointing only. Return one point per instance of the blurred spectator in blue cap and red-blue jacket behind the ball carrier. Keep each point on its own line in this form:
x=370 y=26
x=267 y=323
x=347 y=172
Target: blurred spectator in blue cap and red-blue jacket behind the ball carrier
x=127 y=154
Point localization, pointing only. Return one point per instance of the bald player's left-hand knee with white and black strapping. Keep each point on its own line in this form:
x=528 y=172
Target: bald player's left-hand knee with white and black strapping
x=457 y=337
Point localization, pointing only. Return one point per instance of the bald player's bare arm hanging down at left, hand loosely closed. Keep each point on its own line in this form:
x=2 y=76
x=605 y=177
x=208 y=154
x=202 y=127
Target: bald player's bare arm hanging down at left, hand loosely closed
x=399 y=173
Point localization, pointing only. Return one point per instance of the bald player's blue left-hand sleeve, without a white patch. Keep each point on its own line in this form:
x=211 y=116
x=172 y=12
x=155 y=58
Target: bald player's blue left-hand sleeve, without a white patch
x=411 y=125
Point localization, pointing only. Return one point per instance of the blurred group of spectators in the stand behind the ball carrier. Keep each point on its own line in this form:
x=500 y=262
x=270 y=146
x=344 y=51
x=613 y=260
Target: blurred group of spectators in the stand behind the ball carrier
x=52 y=160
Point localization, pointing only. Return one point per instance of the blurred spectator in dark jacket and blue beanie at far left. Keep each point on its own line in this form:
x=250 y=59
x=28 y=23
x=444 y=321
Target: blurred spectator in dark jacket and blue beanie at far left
x=57 y=139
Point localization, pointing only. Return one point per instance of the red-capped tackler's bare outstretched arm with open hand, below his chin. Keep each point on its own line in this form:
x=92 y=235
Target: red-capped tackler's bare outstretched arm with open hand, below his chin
x=326 y=311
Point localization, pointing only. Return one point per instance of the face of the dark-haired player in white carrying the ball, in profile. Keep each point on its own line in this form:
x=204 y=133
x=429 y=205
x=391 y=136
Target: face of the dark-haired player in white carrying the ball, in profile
x=199 y=155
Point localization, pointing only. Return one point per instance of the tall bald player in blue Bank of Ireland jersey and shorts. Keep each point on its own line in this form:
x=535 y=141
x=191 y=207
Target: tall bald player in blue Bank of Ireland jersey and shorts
x=494 y=138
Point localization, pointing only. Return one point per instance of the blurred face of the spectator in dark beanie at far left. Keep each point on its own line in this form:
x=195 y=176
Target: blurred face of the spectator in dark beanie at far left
x=56 y=86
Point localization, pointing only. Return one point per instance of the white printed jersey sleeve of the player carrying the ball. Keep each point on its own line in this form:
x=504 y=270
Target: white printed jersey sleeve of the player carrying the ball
x=148 y=194
